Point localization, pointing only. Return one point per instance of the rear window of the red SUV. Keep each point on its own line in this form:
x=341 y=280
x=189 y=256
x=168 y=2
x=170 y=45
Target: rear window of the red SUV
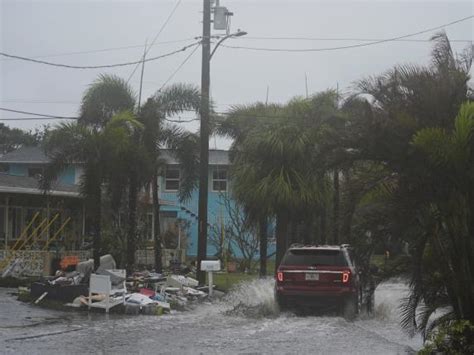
x=314 y=257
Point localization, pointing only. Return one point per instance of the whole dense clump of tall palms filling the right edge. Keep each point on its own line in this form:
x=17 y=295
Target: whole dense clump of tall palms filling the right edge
x=407 y=131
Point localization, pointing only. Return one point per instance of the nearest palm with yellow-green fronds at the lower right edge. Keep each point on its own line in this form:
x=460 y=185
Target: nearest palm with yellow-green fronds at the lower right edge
x=448 y=238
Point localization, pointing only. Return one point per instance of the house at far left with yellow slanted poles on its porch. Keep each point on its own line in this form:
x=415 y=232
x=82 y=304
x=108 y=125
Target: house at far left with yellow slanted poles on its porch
x=59 y=214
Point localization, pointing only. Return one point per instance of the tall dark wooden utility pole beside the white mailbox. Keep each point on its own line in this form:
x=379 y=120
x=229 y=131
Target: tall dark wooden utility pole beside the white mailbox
x=204 y=156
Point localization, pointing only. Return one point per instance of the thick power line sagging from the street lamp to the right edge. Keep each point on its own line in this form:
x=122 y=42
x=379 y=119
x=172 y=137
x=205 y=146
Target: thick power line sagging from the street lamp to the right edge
x=351 y=46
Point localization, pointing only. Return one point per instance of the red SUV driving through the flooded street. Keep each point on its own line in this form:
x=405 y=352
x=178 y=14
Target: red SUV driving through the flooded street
x=319 y=275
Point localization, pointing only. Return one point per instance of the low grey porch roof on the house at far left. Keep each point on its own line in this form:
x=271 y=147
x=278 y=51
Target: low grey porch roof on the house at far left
x=29 y=185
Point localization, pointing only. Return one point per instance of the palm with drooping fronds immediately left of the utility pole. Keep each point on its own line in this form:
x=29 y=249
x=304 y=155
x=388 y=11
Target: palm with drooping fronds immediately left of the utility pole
x=158 y=133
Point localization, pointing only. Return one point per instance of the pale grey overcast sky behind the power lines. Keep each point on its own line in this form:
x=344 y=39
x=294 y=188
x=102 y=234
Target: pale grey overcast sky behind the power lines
x=54 y=30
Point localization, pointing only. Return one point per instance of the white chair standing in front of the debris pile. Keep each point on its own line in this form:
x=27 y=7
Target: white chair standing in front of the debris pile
x=101 y=284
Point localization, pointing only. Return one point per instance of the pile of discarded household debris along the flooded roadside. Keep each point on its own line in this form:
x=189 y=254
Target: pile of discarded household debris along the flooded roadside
x=142 y=292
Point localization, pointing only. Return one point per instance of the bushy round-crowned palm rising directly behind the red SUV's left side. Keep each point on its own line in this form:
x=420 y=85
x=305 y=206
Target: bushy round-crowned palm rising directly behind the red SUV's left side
x=270 y=170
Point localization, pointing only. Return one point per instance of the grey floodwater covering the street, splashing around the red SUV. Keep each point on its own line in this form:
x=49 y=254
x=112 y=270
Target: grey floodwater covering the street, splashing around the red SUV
x=245 y=322
